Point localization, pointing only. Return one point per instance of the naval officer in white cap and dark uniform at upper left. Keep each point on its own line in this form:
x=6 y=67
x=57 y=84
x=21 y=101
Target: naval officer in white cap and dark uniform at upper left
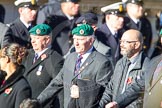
x=19 y=28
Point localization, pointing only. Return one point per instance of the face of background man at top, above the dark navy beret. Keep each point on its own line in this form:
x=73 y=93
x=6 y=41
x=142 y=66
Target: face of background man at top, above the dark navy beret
x=73 y=8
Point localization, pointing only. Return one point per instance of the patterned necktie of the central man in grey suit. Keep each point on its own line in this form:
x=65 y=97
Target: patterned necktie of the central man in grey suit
x=77 y=66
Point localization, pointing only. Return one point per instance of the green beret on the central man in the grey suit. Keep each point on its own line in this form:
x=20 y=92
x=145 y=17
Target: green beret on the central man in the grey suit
x=83 y=30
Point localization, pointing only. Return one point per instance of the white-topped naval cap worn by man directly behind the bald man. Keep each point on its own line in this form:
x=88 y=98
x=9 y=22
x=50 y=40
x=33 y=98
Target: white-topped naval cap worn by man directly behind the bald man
x=115 y=9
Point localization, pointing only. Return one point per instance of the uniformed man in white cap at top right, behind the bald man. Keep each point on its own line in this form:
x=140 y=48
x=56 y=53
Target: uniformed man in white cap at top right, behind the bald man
x=135 y=19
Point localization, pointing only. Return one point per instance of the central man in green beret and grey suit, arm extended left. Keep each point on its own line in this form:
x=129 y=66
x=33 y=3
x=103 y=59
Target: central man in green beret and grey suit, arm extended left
x=85 y=65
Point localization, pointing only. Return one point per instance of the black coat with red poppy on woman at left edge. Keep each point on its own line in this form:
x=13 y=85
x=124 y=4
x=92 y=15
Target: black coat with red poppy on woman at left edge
x=14 y=90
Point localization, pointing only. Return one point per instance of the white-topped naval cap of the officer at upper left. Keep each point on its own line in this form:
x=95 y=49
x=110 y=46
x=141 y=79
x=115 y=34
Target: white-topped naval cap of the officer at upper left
x=26 y=3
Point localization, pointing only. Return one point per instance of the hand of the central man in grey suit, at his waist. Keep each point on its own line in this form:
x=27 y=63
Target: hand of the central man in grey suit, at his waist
x=74 y=91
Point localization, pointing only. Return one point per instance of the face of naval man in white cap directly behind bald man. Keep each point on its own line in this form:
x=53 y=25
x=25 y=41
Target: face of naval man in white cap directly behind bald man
x=116 y=22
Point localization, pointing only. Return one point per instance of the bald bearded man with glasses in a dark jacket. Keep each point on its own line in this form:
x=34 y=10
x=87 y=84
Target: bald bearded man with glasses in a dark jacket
x=128 y=68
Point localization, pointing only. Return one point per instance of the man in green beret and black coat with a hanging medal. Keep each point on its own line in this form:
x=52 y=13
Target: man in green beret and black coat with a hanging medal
x=42 y=63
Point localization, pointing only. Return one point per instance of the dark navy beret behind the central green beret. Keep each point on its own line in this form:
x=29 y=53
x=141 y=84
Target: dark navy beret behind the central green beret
x=87 y=18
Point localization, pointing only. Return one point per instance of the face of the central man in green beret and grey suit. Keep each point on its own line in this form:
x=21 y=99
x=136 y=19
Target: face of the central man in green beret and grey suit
x=82 y=44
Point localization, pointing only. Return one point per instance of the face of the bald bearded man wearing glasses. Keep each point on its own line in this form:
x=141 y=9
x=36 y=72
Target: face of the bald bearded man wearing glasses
x=128 y=45
